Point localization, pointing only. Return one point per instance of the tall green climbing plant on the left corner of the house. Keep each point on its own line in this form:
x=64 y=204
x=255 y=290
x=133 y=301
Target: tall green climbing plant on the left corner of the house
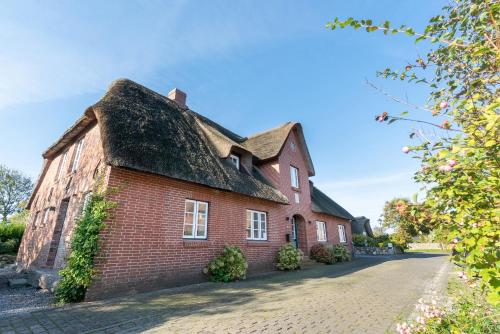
x=79 y=272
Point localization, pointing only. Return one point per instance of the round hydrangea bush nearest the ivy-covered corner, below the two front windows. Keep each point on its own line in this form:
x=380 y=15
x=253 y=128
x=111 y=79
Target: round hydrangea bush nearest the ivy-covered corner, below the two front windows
x=231 y=265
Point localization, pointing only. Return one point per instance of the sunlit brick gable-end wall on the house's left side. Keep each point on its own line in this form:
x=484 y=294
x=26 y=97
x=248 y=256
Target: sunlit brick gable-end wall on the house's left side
x=36 y=241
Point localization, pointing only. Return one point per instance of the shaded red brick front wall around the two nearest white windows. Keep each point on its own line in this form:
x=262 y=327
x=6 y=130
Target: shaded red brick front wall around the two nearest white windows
x=142 y=246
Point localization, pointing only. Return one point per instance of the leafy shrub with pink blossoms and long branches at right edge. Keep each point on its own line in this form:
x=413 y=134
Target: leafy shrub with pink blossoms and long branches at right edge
x=460 y=169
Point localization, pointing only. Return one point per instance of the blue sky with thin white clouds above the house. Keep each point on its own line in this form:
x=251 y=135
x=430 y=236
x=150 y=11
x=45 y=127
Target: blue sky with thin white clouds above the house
x=249 y=65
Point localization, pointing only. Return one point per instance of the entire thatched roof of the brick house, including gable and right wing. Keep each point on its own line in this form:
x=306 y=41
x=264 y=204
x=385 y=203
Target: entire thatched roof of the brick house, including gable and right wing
x=146 y=131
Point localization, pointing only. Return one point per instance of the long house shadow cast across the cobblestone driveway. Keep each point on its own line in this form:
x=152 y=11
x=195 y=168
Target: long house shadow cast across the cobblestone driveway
x=141 y=312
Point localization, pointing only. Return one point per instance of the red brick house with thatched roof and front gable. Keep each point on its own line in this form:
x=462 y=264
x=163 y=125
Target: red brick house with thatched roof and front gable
x=187 y=187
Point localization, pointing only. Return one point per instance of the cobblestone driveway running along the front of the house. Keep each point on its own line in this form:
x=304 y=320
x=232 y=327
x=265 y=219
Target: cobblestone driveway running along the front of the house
x=367 y=295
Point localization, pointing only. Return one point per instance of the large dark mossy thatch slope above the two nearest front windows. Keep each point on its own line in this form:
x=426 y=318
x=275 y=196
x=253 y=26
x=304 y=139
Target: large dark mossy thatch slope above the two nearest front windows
x=146 y=131
